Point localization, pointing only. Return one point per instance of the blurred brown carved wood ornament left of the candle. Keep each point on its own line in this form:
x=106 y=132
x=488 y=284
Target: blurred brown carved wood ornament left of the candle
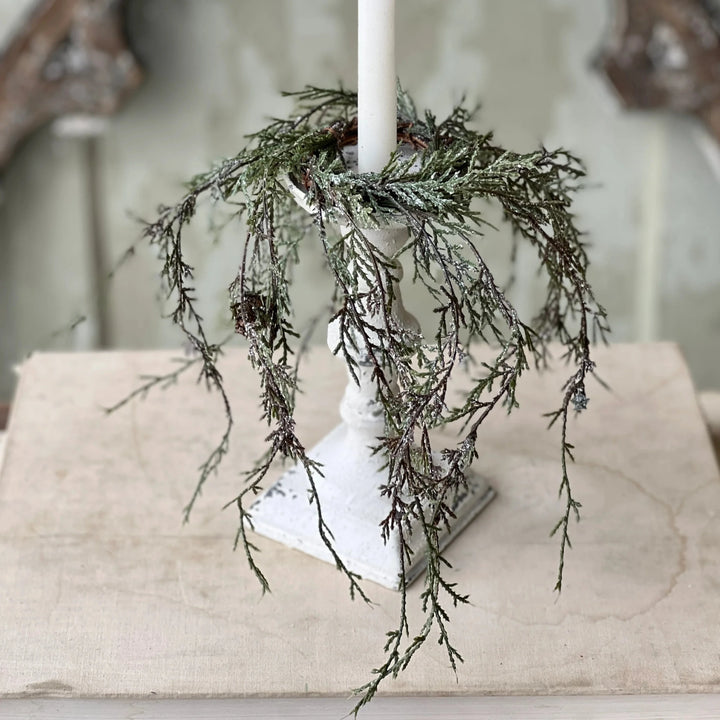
x=69 y=57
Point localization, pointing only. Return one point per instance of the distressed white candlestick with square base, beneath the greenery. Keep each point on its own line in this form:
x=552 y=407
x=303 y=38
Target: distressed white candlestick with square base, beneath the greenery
x=352 y=474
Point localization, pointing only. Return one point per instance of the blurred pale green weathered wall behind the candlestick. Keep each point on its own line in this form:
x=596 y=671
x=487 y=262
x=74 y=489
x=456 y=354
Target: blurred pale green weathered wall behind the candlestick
x=212 y=73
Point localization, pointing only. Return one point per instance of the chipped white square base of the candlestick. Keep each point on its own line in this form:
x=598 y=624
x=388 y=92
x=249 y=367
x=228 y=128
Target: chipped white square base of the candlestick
x=352 y=509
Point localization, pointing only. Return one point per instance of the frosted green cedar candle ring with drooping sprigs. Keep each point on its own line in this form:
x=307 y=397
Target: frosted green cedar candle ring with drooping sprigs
x=433 y=191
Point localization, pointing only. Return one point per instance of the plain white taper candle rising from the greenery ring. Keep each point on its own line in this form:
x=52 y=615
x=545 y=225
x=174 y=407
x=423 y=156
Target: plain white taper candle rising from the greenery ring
x=377 y=96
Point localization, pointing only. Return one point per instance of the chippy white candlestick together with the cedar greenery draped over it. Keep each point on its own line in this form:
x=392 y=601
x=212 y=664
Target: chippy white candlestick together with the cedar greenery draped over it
x=381 y=495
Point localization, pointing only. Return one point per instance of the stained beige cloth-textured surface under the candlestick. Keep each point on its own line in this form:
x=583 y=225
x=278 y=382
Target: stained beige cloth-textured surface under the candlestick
x=104 y=593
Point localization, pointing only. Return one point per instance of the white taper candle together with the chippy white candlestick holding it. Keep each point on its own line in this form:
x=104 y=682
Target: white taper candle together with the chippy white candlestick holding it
x=352 y=505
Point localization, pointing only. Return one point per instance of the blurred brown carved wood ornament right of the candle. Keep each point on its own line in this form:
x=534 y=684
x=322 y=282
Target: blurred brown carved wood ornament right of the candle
x=666 y=54
